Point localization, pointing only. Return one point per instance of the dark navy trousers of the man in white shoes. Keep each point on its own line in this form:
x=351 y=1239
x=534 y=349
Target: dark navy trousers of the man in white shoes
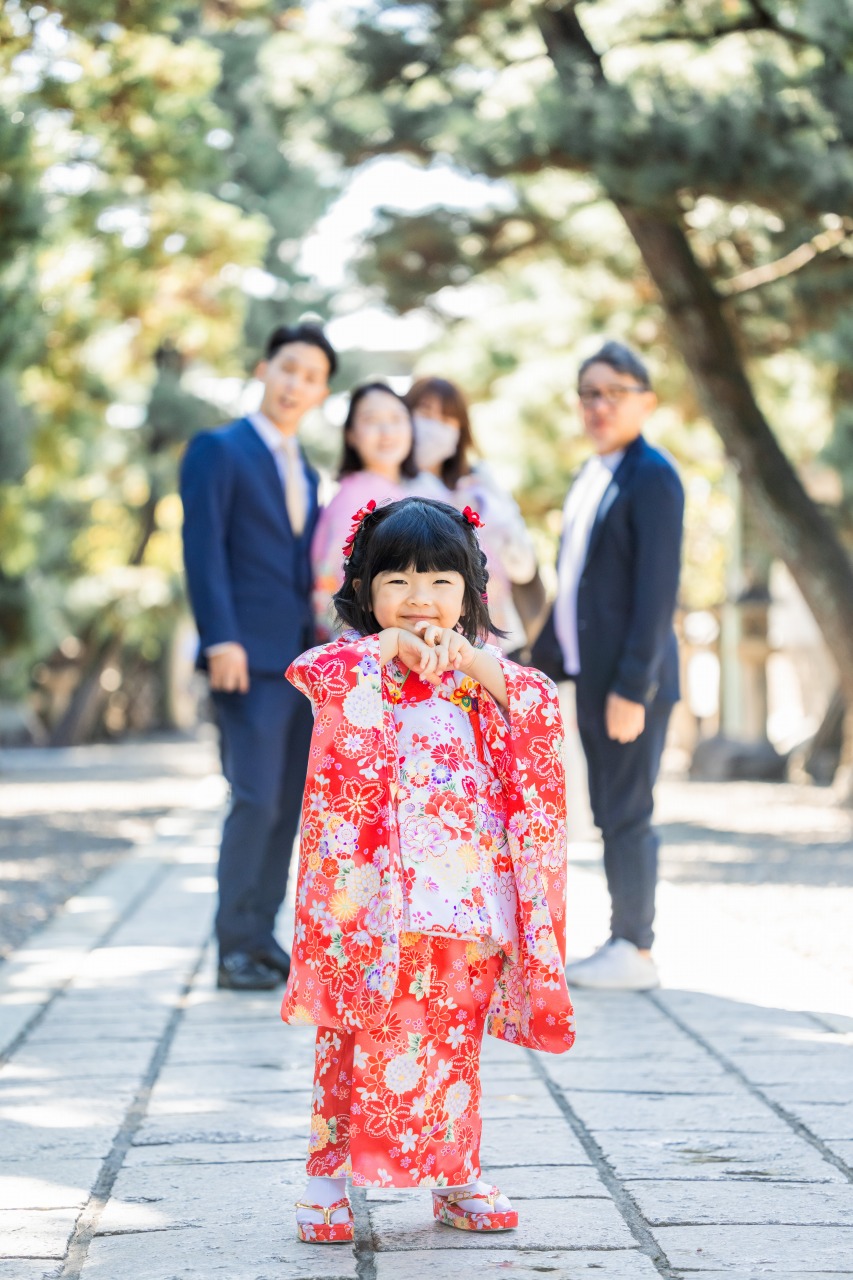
x=622 y=780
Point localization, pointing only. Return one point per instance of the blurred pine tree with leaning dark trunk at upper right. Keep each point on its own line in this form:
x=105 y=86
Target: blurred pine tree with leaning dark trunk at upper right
x=695 y=156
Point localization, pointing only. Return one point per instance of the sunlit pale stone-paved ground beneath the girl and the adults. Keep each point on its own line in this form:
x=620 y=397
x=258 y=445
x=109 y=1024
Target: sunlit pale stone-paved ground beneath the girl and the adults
x=154 y=1130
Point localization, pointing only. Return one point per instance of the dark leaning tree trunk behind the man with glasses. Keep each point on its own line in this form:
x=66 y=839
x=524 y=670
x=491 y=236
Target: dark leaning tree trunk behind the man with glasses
x=796 y=528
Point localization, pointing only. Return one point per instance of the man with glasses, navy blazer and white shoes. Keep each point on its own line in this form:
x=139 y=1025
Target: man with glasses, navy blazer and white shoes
x=612 y=633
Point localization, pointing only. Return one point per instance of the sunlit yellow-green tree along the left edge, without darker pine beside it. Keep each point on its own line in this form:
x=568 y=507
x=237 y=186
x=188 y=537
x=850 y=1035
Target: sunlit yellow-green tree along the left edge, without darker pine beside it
x=131 y=255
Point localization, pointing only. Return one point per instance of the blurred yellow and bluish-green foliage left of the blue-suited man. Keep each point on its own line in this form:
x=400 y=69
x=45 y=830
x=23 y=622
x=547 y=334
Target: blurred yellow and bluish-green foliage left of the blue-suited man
x=148 y=228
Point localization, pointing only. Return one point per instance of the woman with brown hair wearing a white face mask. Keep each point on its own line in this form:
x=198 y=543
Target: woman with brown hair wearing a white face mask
x=444 y=442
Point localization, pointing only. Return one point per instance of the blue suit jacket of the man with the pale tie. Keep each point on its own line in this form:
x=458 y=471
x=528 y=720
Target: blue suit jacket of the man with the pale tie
x=249 y=577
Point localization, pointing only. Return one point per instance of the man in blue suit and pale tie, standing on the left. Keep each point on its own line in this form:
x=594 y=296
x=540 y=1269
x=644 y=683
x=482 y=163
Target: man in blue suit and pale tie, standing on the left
x=250 y=504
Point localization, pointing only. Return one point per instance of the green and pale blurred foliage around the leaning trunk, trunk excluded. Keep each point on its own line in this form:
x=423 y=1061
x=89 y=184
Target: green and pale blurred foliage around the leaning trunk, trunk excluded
x=733 y=118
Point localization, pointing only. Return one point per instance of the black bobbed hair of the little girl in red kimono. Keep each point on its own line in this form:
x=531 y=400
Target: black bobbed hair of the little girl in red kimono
x=431 y=537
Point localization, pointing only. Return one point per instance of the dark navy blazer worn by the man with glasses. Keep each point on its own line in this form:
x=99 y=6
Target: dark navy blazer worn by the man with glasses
x=628 y=589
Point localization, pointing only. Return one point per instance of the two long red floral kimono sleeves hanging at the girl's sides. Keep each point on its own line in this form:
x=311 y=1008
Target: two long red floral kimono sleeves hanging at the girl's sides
x=350 y=898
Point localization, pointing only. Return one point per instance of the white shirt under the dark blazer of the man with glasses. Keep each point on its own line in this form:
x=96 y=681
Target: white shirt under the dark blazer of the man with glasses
x=578 y=519
